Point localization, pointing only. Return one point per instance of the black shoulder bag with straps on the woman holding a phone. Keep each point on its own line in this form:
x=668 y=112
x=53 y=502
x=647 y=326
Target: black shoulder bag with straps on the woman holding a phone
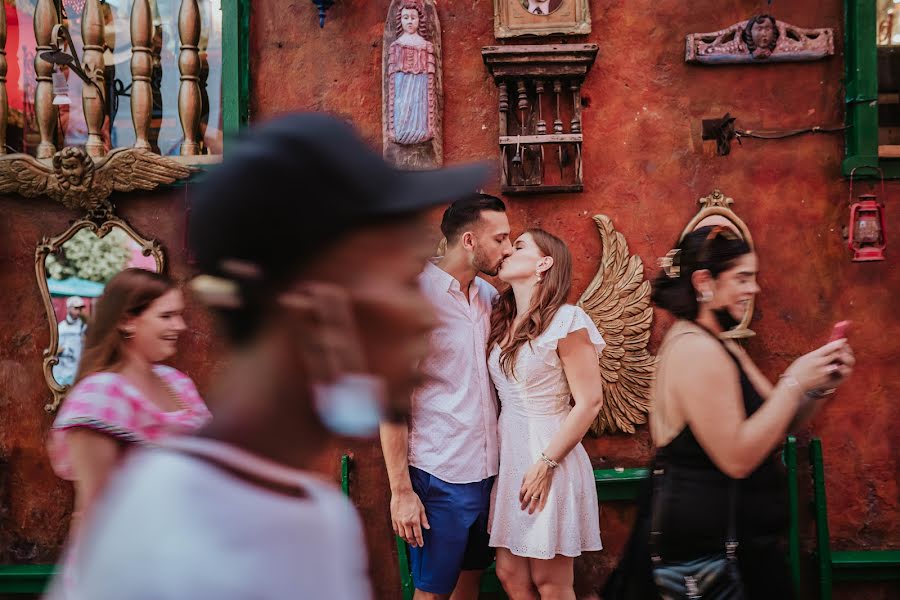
x=710 y=577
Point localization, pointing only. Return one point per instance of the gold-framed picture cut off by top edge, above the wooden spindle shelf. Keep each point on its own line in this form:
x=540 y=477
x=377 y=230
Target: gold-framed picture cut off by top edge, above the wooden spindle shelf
x=515 y=18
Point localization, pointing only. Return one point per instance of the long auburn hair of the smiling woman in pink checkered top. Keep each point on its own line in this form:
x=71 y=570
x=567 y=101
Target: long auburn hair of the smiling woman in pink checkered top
x=128 y=294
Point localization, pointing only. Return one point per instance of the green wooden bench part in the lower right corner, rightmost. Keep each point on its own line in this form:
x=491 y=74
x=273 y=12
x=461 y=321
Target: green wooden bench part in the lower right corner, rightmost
x=846 y=565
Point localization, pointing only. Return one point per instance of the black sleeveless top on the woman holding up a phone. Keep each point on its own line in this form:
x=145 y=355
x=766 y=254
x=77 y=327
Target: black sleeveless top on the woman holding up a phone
x=695 y=515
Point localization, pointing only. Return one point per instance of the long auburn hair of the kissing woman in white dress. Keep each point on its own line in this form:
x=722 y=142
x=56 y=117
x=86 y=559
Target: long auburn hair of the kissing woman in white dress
x=550 y=294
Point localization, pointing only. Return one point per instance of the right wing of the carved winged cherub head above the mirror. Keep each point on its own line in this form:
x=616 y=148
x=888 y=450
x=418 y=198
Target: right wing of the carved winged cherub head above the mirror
x=127 y=169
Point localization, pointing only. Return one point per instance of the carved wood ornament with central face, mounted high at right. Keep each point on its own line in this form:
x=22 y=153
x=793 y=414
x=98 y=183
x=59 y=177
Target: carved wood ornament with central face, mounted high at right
x=760 y=39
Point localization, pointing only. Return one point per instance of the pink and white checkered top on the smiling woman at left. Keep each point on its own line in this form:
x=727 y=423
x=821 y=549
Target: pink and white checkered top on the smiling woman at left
x=106 y=402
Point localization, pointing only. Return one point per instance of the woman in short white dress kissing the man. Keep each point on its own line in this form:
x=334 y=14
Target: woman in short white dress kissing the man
x=543 y=353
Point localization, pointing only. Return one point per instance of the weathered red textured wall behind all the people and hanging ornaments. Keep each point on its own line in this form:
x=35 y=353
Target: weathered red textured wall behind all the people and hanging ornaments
x=644 y=167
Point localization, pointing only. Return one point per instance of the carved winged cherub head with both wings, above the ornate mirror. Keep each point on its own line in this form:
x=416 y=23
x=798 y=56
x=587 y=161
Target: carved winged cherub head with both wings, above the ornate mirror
x=80 y=182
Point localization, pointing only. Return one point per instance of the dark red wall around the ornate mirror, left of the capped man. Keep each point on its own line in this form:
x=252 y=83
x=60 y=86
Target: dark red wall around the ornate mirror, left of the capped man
x=34 y=504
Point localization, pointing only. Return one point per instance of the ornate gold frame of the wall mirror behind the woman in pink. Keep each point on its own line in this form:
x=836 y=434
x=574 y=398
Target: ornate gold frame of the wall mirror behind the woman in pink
x=51 y=245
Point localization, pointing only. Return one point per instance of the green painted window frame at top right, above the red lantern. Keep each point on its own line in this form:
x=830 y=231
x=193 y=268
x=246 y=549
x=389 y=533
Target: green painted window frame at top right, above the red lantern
x=861 y=94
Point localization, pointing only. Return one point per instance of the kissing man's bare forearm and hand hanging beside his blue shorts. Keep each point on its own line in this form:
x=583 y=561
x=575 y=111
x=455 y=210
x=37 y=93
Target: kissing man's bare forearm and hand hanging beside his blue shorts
x=407 y=513
